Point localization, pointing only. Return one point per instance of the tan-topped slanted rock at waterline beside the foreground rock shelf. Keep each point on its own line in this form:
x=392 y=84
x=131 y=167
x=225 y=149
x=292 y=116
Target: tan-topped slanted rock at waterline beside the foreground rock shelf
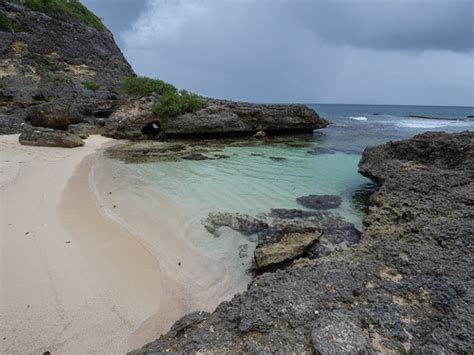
x=289 y=247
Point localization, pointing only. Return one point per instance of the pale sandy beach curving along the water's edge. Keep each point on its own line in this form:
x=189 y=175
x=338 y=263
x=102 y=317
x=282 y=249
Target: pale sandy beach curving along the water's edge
x=72 y=281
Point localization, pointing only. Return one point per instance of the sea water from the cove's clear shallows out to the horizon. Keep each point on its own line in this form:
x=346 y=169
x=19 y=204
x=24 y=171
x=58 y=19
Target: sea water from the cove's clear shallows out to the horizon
x=251 y=180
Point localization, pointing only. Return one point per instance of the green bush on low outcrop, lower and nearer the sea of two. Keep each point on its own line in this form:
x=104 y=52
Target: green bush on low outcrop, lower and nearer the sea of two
x=178 y=103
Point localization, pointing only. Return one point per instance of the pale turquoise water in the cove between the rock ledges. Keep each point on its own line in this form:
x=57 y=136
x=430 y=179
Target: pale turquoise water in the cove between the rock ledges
x=251 y=182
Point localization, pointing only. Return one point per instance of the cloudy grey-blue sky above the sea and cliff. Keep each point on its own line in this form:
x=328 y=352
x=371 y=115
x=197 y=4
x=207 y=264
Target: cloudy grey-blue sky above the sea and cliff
x=418 y=52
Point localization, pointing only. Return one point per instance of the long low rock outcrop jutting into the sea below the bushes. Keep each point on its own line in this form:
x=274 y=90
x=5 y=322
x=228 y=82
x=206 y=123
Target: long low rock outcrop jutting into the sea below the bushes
x=219 y=118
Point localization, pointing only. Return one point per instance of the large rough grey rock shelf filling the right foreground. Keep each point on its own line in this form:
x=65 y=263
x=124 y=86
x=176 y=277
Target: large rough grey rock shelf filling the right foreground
x=406 y=287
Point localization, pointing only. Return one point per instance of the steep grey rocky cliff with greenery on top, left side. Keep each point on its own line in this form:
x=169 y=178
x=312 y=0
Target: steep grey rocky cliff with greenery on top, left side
x=56 y=57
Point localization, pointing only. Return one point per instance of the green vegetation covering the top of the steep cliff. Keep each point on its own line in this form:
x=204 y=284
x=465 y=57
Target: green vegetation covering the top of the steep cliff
x=63 y=8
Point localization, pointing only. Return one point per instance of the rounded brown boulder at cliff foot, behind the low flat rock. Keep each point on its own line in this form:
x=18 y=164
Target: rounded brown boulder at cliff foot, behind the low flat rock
x=57 y=114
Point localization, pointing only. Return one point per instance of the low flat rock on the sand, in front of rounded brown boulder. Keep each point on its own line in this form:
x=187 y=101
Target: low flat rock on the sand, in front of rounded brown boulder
x=49 y=138
